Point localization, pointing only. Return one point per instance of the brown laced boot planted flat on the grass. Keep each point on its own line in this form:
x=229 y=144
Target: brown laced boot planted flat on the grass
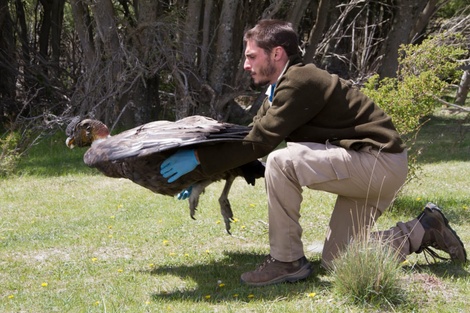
x=273 y=271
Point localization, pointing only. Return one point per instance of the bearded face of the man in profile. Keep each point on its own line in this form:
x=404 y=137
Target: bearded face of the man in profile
x=259 y=64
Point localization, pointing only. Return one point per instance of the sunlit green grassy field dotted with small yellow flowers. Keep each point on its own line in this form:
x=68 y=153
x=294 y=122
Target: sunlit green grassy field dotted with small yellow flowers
x=72 y=240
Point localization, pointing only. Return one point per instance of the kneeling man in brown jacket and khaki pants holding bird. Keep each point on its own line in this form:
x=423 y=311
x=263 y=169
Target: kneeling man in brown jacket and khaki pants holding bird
x=338 y=141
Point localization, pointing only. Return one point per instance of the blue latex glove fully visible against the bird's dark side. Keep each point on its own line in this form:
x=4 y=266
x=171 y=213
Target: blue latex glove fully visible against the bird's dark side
x=180 y=163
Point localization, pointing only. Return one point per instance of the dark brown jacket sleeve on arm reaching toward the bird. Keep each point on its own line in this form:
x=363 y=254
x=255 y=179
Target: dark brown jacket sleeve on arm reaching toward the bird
x=291 y=107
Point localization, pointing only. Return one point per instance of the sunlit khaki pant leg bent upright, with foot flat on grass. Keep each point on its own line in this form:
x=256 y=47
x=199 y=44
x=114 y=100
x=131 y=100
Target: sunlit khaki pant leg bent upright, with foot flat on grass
x=287 y=170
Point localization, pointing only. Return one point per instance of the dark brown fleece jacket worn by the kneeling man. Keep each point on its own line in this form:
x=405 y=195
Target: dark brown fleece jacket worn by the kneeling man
x=309 y=105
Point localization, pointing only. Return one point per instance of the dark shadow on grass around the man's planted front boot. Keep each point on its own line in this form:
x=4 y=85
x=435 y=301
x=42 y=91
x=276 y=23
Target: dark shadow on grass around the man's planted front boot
x=206 y=277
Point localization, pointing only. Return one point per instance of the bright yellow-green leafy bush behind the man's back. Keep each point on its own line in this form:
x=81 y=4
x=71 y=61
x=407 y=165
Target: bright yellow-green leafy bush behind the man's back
x=425 y=71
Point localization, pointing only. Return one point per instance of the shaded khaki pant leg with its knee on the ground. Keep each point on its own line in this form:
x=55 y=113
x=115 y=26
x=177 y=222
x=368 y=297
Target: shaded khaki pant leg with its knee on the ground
x=374 y=181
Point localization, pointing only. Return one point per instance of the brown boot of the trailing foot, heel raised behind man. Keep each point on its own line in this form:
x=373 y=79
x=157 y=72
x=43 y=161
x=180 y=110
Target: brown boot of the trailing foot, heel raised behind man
x=438 y=234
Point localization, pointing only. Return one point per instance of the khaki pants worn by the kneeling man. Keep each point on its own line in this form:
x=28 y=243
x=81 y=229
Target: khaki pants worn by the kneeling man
x=365 y=181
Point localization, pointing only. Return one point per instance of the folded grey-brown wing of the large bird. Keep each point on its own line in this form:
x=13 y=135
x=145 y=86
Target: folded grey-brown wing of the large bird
x=159 y=136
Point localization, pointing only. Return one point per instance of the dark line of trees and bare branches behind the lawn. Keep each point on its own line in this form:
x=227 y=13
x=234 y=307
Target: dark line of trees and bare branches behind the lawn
x=130 y=62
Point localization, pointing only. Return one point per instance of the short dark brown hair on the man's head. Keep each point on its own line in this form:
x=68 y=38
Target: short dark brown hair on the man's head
x=269 y=34
